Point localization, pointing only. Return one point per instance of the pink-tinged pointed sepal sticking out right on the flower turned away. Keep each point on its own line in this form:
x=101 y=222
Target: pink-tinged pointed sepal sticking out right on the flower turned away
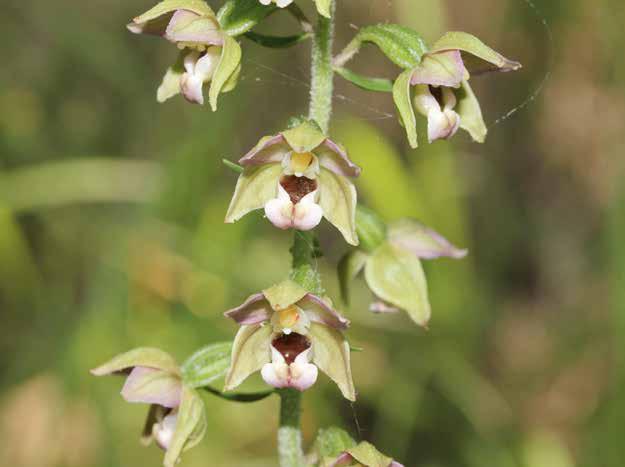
x=421 y=241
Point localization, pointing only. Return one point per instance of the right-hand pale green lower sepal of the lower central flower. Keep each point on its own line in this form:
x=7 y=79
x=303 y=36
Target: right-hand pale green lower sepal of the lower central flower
x=331 y=354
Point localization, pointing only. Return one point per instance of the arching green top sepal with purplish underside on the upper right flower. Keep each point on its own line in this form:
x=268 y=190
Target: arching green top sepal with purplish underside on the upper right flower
x=487 y=58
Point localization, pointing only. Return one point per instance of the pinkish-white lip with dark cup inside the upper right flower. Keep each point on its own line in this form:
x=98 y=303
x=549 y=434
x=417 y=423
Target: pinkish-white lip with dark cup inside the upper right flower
x=443 y=121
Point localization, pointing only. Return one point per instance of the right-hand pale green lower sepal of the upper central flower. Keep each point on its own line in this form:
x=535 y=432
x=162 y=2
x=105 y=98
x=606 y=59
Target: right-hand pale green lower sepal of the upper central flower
x=338 y=198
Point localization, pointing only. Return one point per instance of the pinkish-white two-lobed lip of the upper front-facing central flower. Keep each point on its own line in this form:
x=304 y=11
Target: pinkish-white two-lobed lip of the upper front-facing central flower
x=304 y=215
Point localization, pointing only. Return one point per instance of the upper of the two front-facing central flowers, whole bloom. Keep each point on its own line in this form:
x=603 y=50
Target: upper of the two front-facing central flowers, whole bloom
x=298 y=177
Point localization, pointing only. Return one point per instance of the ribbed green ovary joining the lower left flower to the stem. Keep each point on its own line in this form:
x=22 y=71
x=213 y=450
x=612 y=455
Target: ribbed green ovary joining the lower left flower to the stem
x=207 y=364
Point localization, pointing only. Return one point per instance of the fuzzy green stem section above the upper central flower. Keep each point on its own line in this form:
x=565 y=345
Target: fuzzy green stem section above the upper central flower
x=322 y=73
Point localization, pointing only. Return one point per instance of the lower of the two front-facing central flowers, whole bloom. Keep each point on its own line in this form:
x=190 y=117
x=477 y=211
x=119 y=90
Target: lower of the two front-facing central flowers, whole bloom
x=289 y=334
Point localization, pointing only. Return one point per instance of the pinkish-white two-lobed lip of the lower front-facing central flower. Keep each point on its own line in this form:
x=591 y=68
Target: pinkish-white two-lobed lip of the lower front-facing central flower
x=300 y=374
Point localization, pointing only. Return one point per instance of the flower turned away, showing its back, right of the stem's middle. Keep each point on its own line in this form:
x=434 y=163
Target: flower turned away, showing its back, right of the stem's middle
x=391 y=258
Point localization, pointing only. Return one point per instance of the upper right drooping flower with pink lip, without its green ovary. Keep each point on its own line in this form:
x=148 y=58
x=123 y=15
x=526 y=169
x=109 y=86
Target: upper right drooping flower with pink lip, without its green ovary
x=442 y=92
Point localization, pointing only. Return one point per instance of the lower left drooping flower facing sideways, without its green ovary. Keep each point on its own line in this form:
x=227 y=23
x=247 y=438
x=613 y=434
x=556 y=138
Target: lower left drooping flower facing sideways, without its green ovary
x=176 y=419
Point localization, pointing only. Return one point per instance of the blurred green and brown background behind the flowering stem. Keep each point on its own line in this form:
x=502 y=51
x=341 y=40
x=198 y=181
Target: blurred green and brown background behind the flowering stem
x=112 y=236
